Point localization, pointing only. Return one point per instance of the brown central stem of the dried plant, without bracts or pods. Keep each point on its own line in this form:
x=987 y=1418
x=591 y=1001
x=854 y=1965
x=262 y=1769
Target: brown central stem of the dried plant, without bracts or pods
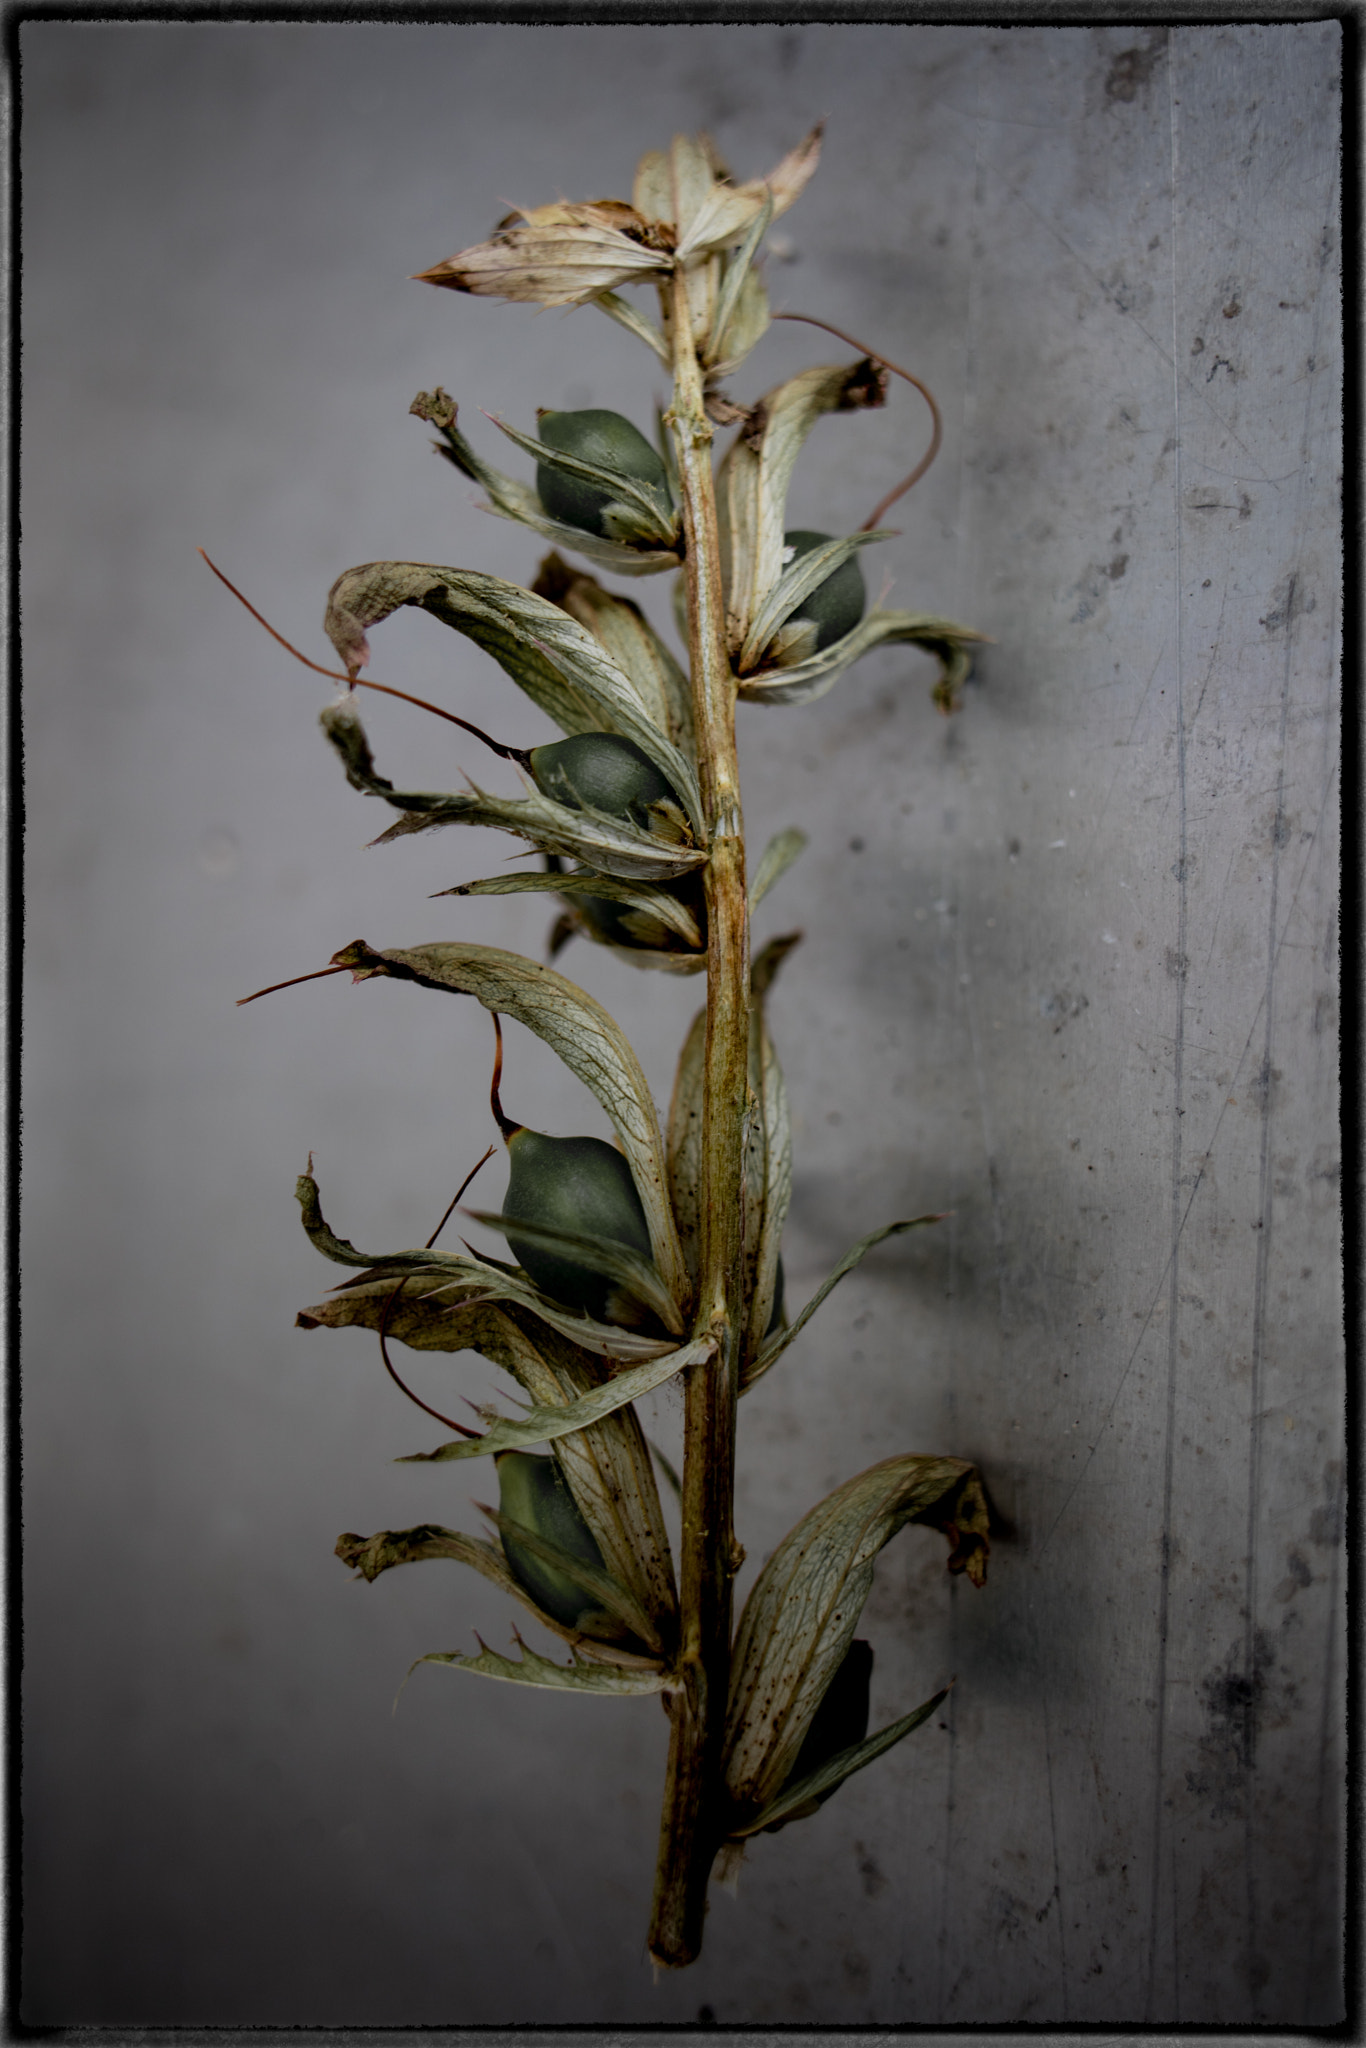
x=691 y=1822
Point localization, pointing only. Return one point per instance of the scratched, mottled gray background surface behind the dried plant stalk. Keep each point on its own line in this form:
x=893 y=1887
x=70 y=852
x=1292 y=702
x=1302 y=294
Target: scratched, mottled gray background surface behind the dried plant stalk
x=1070 y=974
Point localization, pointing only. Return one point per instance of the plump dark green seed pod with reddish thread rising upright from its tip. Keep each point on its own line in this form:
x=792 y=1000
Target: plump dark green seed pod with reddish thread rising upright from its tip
x=572 y=1185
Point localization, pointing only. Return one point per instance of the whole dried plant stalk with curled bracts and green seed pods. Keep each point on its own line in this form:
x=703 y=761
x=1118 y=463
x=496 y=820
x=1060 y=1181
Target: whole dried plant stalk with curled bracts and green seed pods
x=652 y=1261
